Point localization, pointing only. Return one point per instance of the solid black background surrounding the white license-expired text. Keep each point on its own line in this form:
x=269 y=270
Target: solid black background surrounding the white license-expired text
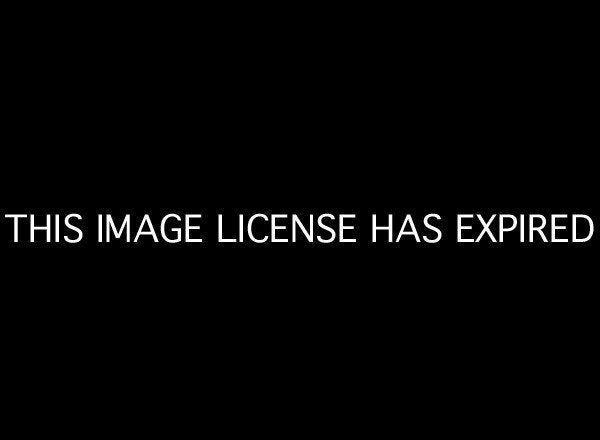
x=368 y=113
